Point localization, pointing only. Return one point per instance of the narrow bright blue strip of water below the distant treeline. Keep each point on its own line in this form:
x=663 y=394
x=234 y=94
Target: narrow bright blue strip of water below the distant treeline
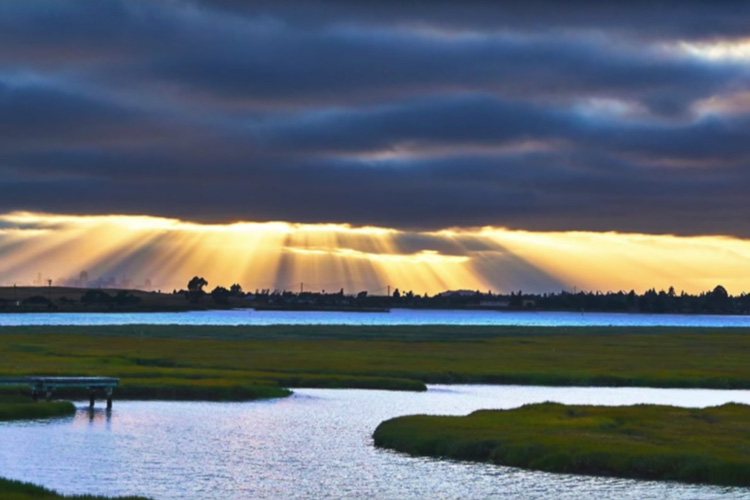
x=395 y=317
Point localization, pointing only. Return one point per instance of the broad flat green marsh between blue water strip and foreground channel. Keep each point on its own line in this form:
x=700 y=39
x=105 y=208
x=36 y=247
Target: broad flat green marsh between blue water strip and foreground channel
x=193 y=361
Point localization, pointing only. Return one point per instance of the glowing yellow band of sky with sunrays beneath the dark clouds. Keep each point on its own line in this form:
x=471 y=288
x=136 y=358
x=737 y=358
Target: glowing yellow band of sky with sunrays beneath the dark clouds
x=283 y=255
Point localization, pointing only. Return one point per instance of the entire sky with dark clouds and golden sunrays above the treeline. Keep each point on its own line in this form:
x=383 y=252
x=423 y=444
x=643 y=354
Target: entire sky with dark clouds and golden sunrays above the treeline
x=427 y=145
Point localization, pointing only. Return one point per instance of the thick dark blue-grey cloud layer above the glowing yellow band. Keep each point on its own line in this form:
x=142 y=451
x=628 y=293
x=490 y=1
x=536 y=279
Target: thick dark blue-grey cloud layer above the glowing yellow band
x=558 y=116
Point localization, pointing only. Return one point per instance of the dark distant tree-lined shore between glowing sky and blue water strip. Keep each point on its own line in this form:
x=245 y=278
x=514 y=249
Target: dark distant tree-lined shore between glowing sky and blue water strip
x=67 y=299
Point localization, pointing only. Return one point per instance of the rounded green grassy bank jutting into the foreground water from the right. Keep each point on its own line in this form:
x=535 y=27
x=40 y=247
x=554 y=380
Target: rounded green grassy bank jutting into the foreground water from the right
x=642 y=441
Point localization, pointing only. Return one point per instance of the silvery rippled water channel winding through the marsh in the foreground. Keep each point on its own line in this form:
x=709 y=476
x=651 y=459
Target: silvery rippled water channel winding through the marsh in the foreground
x=314 y=445
